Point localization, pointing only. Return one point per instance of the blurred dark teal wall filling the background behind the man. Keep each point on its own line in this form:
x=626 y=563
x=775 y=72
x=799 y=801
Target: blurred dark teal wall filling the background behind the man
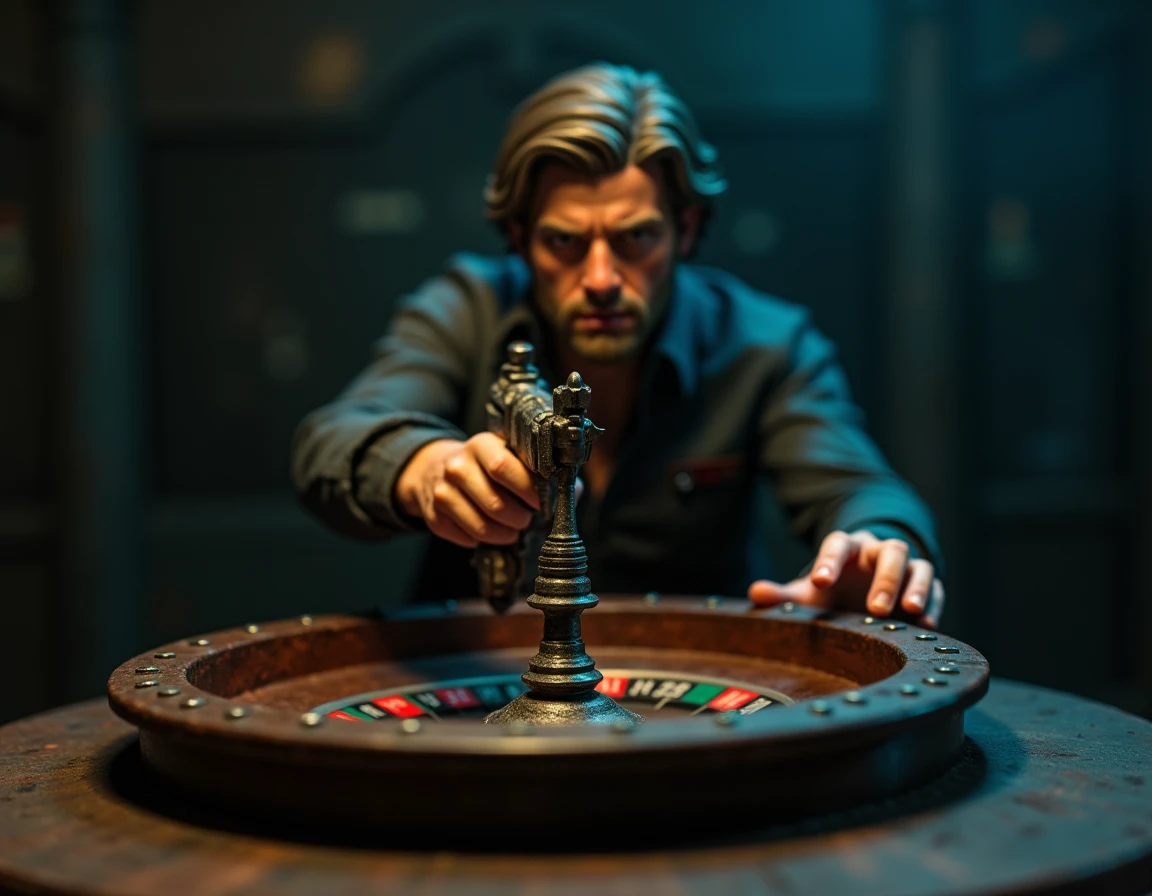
x=959 y=192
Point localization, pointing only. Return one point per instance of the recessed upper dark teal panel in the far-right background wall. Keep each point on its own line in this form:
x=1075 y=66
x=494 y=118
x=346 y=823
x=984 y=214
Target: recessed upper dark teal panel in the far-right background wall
x=1050 y=305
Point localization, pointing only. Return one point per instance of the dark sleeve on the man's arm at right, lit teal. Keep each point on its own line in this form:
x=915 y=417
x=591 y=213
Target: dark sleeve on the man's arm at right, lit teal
x=827 y=470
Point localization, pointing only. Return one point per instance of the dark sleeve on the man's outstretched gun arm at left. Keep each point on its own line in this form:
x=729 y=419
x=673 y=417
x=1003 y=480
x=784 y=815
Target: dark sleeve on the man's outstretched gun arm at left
x=347 y=455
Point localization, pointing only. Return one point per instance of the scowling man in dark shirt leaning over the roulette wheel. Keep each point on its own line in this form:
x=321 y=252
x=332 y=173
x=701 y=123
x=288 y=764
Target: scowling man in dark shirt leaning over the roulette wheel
x=603 y=187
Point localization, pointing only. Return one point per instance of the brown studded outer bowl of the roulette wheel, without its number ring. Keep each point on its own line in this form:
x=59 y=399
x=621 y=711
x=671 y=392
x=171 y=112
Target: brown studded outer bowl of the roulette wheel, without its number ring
x=900 y=727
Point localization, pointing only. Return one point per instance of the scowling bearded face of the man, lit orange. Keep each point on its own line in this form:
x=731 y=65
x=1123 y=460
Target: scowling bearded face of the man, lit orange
x=602 y=253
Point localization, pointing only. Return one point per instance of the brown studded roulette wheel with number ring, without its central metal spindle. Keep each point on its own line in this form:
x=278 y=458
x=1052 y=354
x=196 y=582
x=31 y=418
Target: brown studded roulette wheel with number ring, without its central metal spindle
x=772 y=713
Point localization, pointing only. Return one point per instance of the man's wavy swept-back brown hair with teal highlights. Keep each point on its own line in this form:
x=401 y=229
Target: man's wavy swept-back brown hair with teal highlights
x=598 y=120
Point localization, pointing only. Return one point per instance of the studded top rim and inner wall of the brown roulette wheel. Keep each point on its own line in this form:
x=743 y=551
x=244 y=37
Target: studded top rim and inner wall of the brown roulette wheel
x=222 y=667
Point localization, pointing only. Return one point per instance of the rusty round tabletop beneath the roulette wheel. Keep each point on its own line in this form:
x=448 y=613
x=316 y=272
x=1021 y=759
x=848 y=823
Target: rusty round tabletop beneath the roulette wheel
x=1054 y=795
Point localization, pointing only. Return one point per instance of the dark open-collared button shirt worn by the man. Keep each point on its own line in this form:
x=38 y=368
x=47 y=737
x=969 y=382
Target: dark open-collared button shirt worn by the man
x=739 y=385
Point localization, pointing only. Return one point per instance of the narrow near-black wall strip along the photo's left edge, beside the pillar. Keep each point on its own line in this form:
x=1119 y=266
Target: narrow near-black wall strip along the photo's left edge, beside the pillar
x=26 y=473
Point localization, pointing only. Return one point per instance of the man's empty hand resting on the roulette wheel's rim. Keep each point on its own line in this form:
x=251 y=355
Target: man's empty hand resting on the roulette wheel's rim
x=860 y=572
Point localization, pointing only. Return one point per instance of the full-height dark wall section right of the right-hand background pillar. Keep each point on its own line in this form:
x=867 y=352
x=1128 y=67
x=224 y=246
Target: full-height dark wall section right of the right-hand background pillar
x=1051 y=351
